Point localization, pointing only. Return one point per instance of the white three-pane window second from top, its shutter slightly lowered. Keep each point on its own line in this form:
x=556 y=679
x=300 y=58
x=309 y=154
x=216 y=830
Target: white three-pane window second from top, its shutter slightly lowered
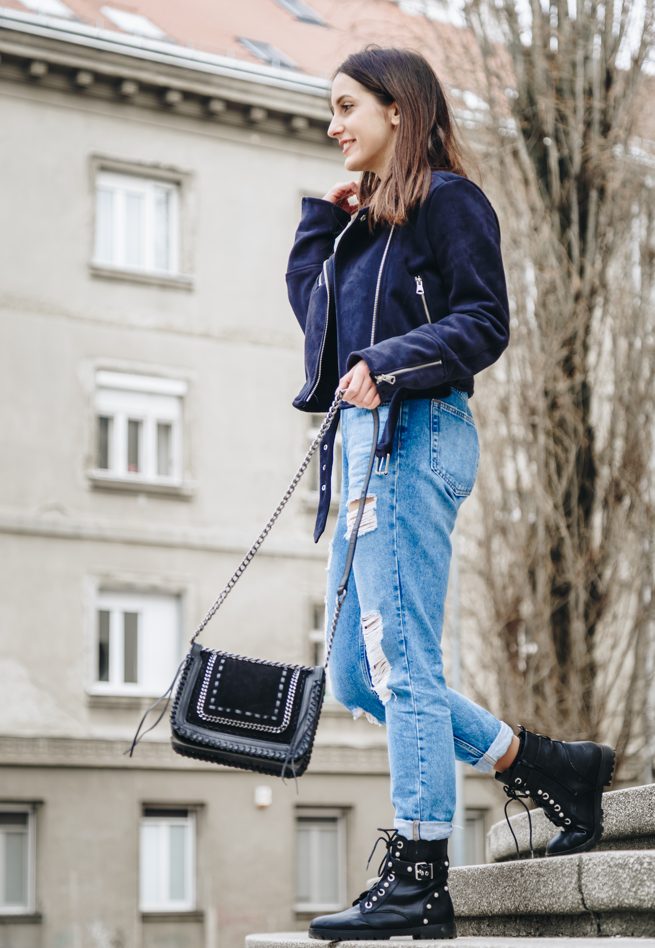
x=138 y=428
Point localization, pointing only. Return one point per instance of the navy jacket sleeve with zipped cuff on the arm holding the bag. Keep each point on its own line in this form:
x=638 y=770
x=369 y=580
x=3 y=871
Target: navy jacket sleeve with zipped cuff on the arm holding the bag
x=464 y=237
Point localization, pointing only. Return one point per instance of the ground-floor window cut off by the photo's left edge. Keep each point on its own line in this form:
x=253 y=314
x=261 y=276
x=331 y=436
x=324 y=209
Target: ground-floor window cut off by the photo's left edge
x=16 y=859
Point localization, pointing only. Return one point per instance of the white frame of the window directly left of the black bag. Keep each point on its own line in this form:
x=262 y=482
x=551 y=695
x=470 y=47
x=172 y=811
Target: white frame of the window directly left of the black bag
x=116 y=602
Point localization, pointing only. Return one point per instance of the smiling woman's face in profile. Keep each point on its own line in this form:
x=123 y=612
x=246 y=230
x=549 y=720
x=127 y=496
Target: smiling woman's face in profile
x=364 y=128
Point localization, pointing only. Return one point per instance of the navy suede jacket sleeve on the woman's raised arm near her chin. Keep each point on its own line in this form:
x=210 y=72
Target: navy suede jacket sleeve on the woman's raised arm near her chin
x=320 y=223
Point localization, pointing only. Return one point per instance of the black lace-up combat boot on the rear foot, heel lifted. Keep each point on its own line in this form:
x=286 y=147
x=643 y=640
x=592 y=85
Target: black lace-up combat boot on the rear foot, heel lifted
x=565 y=779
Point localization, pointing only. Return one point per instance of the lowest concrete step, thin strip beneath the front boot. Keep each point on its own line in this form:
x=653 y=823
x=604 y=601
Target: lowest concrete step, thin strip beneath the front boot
x=301 y=940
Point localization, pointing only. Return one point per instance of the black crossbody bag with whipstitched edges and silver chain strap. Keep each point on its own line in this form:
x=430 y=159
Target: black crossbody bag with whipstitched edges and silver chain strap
x=248 y=712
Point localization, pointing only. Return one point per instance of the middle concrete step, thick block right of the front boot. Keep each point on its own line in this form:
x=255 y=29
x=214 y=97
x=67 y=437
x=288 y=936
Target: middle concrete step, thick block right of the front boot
x=593 y=894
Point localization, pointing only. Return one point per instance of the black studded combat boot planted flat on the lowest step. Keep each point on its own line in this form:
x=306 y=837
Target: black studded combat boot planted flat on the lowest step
x=411 y=896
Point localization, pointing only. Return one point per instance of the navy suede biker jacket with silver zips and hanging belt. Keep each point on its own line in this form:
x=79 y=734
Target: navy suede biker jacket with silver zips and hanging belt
x=436 y=314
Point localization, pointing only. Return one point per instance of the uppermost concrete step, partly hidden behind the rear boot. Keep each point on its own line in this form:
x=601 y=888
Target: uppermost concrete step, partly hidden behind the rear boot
x=628 y=820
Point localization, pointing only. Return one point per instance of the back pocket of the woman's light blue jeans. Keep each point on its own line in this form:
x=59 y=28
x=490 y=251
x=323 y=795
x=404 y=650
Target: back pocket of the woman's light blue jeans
x=455 y=449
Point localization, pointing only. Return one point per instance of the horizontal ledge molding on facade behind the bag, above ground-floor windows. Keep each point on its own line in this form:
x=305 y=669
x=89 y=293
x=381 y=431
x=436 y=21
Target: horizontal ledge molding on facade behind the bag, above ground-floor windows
x=65 y=752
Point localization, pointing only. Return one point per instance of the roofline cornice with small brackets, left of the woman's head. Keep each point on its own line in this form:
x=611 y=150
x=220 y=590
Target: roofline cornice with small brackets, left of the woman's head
x=102 y=64
